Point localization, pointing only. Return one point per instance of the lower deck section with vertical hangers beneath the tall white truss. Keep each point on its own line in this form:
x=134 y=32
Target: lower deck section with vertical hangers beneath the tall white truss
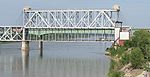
x=70 y=34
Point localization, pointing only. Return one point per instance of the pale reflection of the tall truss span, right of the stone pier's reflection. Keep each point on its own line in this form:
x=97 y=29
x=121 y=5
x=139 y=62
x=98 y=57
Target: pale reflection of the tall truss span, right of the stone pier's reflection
x=67 y=67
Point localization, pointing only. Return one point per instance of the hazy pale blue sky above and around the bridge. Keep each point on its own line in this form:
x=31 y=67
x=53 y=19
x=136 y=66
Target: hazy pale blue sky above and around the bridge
x=135 y=13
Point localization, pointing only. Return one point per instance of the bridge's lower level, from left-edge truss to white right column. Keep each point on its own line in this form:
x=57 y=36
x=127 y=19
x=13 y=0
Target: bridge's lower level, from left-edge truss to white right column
x=56 y=34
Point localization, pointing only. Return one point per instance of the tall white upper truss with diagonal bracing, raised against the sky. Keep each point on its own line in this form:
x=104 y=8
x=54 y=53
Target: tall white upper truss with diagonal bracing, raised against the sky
x=70 y=18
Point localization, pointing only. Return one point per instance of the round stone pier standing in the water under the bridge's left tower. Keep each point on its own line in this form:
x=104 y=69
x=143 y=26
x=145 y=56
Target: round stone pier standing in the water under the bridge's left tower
x=25 y=48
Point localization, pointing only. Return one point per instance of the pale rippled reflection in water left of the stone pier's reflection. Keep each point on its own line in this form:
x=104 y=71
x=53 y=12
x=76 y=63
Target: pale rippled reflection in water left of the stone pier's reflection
x=10 y=66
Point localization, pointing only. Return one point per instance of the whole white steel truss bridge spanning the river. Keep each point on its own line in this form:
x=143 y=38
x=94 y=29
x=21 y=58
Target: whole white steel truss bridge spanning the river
x=64 y=25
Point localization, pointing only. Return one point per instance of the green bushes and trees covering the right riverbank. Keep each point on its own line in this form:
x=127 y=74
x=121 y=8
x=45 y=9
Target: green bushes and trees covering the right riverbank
x=135 y=54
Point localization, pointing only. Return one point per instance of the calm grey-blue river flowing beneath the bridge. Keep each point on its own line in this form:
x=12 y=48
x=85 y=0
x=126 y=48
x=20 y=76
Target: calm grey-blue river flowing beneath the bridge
x=60 y=59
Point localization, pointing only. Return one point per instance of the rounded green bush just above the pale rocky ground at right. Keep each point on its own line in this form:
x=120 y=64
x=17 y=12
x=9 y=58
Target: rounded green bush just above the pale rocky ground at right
x=136 y=58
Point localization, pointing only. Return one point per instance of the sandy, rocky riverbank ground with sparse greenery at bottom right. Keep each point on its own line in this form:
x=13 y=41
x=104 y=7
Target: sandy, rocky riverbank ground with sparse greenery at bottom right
x=117 y=70
